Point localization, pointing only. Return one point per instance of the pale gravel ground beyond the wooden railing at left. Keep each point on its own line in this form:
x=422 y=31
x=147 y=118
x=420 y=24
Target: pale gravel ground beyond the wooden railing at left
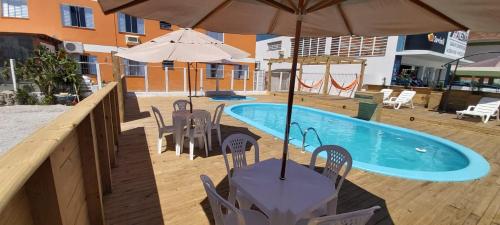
x=18 y=122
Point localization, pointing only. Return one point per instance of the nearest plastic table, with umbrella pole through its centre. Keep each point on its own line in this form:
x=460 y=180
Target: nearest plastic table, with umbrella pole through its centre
x=283 y=201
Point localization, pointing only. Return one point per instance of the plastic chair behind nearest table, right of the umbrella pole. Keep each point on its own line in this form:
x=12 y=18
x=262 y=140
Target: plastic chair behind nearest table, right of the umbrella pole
x=337 y=158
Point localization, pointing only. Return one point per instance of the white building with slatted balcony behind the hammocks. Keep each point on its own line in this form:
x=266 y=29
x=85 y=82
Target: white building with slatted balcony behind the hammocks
x=387 y=57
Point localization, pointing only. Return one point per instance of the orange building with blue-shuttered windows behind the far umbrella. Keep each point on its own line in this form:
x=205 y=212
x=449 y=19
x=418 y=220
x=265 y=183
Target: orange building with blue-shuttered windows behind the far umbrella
x=81 y=28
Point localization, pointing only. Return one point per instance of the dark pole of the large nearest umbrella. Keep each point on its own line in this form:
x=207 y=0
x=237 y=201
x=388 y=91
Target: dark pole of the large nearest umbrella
x=298 y=27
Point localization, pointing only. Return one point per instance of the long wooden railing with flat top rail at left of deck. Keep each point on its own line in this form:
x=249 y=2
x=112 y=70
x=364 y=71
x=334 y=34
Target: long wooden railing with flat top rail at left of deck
x=59 y=174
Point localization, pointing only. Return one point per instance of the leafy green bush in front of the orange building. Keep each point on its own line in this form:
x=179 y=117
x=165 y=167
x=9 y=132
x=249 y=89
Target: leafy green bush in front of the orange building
x=50 y=71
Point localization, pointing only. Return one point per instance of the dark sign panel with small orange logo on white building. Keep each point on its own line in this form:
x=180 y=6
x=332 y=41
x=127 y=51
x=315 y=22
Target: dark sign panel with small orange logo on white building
x=435 y=42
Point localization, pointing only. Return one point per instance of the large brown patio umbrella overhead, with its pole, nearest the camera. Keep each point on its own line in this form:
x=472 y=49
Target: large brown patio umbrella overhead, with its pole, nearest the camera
x=316 y=18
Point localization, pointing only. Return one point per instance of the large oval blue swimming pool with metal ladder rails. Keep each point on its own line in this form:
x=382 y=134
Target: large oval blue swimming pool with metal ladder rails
x=375 y=147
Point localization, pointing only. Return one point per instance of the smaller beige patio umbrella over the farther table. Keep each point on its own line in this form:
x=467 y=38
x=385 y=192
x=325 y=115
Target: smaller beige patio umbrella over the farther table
x=183 y=45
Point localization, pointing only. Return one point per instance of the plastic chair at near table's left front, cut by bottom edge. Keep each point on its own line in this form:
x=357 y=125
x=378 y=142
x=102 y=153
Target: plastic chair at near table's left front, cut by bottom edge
x=233 y=216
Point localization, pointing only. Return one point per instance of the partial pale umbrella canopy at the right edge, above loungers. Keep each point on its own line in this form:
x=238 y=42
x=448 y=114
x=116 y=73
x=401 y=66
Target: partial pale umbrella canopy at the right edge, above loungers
x=485 y=68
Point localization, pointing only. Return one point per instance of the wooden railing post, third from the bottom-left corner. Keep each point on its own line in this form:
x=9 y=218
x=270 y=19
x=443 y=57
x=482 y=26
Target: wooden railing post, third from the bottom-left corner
x=102 y=145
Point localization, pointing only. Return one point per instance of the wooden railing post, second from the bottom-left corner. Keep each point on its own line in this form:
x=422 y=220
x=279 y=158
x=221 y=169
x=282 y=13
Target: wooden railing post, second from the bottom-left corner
x=91 y=169
